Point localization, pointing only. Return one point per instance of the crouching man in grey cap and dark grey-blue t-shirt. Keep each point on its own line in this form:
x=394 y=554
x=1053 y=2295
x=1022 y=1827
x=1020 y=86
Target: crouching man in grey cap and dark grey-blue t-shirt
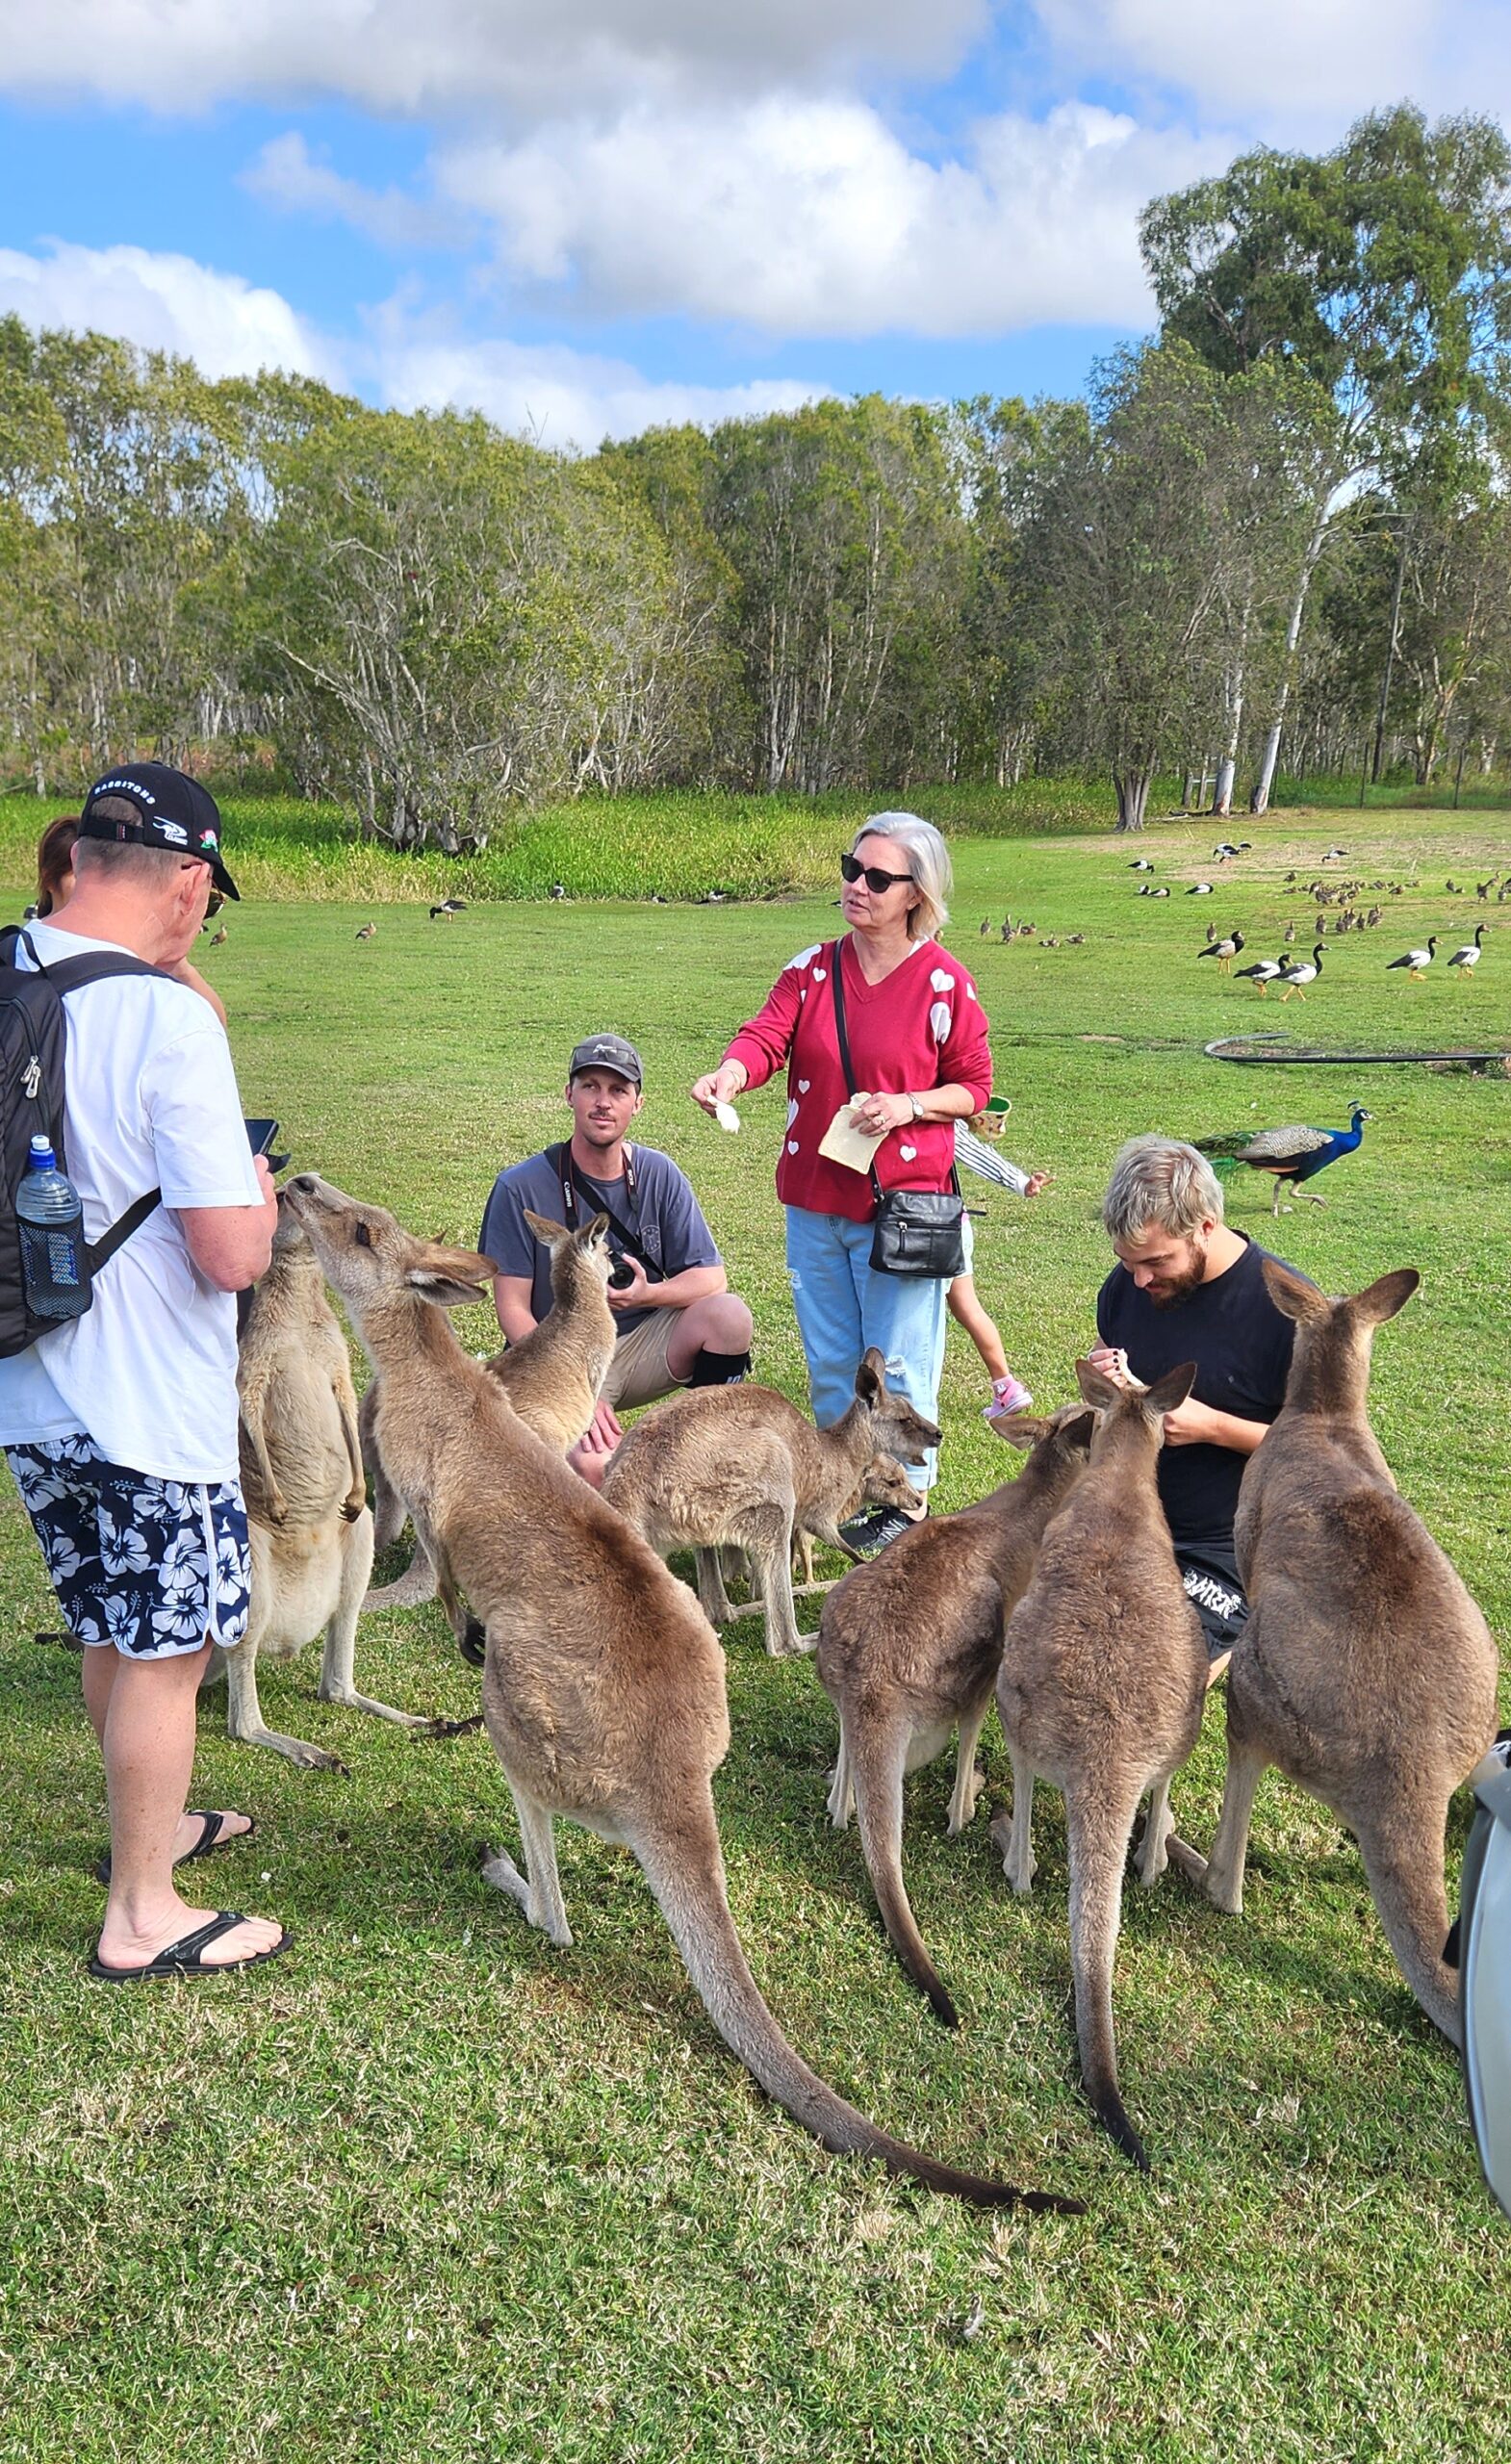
x=679 y=1322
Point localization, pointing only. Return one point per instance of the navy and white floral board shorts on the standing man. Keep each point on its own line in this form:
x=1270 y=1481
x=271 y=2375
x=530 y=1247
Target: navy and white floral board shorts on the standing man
x=142 y=1563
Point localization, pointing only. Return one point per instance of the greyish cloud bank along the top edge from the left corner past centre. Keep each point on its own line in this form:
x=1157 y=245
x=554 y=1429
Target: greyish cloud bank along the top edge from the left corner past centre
x=391 y=55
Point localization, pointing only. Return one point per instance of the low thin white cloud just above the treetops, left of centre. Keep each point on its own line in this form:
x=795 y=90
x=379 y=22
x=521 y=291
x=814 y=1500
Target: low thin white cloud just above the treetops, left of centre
x=561 y=398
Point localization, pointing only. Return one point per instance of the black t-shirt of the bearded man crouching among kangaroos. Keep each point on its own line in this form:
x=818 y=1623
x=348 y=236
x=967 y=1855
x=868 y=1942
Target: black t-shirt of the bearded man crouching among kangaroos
x=1244 y=1354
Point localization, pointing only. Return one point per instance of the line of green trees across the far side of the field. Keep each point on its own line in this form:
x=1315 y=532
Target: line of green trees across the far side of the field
x=1278 y=524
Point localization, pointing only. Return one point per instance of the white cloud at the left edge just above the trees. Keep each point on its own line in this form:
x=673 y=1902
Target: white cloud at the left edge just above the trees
x=218 y=322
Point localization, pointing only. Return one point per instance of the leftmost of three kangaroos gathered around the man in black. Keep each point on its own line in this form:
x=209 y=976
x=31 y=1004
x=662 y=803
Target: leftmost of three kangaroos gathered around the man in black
x=911 y=1647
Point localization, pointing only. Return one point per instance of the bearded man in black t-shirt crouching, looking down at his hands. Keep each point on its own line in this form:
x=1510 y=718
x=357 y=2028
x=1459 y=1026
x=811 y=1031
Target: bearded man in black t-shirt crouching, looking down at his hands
x=1187 y=1287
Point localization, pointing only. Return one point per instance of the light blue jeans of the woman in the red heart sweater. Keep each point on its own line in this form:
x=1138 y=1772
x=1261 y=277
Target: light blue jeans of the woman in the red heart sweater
x=842 y=1307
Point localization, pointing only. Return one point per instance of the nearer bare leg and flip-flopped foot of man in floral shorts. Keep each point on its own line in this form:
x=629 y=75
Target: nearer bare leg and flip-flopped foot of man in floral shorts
x=147 y=1728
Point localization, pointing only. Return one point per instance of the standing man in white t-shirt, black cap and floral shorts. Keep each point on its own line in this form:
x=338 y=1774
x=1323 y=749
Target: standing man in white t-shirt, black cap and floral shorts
x=122 y=1425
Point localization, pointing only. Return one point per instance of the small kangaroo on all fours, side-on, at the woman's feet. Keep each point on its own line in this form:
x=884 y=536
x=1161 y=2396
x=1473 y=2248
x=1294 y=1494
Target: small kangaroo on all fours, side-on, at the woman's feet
x=743 y=1465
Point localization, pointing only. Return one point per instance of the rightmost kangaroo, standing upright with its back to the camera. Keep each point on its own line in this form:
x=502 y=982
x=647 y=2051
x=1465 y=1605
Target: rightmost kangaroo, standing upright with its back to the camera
x=1367 y=1674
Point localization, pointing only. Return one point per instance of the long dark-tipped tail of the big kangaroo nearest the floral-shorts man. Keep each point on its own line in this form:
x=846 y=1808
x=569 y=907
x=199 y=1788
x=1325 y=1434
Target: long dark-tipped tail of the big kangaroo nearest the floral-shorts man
x=686 y=1871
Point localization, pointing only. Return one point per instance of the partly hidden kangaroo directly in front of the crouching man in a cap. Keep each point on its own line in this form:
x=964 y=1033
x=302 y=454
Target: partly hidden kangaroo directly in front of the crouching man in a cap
x=553 y=1379
